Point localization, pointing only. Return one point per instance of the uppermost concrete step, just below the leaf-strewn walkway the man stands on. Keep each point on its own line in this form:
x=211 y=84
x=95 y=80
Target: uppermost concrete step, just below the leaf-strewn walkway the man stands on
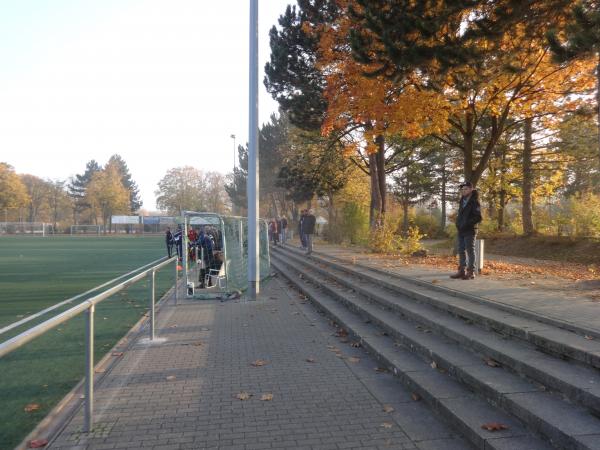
x=546 y=336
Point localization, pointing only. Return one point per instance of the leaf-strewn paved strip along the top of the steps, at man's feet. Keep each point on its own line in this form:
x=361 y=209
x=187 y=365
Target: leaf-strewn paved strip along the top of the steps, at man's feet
x=576 y=310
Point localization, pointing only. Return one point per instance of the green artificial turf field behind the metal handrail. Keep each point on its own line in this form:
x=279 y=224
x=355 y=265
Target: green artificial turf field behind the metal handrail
x=37 y=272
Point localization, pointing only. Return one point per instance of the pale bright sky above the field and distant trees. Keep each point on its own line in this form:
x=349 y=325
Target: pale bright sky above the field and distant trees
x=163 y=84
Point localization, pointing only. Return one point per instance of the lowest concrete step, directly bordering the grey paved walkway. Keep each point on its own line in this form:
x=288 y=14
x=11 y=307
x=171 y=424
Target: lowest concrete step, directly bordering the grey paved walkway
x=447 y=397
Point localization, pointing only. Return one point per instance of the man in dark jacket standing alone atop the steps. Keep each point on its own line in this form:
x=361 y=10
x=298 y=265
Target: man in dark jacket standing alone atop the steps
x=469 y=215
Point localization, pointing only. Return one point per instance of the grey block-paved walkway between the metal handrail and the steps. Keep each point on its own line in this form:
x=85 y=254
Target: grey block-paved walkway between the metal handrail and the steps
x=181 y=393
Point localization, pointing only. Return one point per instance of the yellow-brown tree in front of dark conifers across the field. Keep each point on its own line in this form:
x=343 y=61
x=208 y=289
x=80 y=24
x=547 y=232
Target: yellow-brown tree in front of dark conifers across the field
x=106 y=195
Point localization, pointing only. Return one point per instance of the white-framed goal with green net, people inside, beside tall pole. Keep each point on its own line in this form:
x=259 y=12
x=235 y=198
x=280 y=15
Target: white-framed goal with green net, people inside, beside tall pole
x=224 y=269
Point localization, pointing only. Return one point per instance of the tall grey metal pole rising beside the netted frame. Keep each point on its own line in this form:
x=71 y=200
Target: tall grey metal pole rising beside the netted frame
x=252 y=188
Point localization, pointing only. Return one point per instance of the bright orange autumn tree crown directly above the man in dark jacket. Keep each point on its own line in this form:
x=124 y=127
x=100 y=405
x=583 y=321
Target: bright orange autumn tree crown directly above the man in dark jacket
x=485 y=73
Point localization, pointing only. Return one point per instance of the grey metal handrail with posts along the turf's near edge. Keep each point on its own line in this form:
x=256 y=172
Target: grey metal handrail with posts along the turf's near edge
x=89 y=306
